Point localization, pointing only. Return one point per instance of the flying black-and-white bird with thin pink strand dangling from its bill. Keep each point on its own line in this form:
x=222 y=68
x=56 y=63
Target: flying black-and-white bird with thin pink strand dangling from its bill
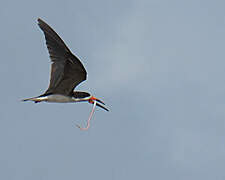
x=67 y=72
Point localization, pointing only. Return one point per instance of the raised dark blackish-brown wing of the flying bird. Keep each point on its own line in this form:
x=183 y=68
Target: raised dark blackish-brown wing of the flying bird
x=66 y=71
